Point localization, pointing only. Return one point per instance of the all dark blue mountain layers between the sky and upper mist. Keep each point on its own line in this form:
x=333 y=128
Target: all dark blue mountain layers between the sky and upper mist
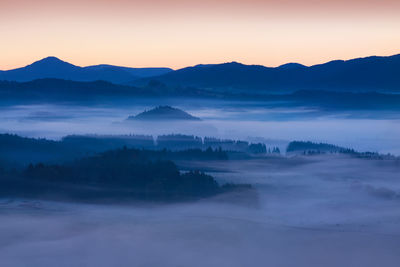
x=365 y=83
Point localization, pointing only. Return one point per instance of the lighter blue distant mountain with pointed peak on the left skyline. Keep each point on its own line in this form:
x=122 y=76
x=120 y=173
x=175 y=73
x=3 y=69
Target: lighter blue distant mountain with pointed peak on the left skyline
x=52 y=67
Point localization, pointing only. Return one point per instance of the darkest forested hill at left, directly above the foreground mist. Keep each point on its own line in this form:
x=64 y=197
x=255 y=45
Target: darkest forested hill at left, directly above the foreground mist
x=118 y=175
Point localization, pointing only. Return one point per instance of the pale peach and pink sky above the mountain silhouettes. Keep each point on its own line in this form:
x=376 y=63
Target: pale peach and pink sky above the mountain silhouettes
x=179 y=33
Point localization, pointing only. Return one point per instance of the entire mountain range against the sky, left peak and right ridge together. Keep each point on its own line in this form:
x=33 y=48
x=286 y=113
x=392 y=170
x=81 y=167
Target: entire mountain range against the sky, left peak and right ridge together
x=380 y=74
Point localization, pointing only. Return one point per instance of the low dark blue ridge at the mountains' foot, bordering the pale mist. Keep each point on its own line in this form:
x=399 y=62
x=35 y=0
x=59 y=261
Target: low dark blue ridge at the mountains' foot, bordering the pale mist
x=55 y=90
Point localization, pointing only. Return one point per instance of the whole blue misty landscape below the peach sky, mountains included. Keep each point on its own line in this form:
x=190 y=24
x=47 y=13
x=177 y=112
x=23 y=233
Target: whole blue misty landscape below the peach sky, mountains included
x=287 y=166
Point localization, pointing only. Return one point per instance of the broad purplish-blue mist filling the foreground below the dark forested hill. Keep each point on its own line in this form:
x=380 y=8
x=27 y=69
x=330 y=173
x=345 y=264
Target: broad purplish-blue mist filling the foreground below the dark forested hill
x=327 y=210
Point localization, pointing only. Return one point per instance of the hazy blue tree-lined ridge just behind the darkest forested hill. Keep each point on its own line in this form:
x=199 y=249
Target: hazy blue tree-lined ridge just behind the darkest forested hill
x=17 y=151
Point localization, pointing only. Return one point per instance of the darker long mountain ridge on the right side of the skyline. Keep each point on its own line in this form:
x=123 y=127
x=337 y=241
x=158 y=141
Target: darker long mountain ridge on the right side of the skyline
x=374 y=73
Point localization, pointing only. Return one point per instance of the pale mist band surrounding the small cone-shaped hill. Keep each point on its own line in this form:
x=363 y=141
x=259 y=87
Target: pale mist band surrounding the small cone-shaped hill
x=250 y=121
